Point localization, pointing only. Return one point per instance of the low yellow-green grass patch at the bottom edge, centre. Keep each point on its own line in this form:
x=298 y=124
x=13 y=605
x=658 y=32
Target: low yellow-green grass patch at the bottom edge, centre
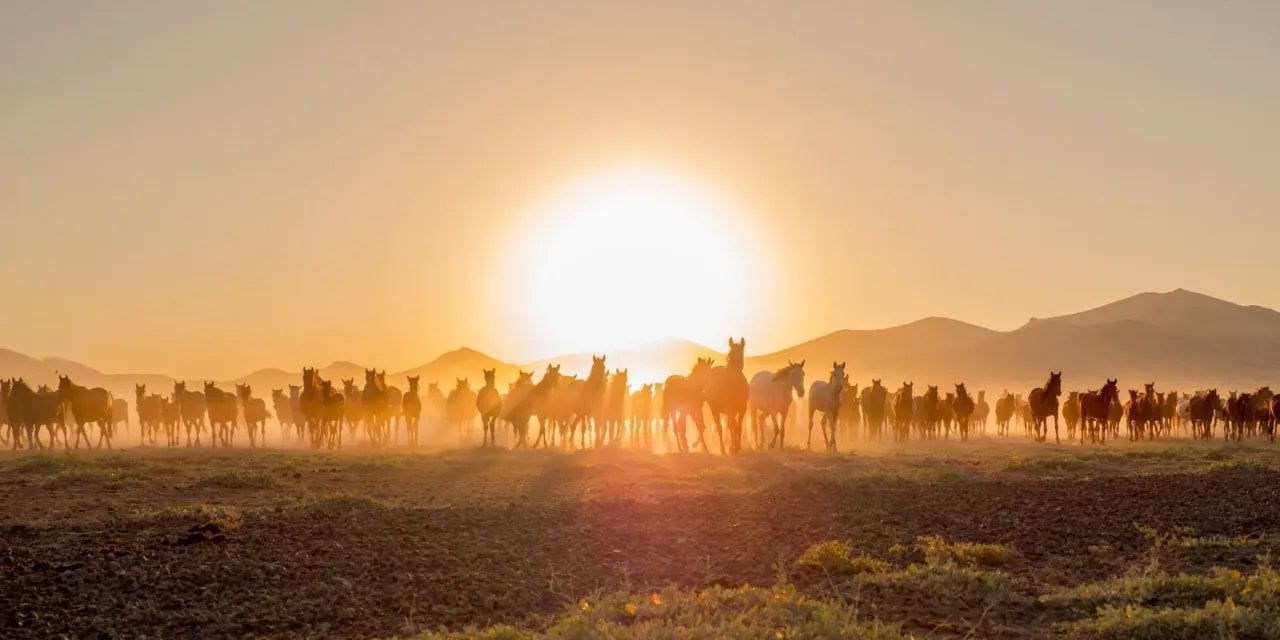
x=779 y=614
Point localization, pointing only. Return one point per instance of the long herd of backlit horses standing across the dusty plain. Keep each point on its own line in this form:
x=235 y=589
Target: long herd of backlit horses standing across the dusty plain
x=604 y=410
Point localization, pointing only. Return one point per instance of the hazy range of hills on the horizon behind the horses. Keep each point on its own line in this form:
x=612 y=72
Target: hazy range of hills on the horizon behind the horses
x=1180 y=340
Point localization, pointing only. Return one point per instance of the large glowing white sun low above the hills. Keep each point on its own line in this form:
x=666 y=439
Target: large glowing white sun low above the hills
x=630 y=257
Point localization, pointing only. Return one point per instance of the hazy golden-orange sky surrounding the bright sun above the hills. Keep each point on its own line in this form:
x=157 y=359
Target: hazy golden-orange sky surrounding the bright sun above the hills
x=207 y=189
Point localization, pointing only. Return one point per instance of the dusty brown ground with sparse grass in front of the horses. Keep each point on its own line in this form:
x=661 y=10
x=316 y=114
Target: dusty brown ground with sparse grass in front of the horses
x=1075 y=542
